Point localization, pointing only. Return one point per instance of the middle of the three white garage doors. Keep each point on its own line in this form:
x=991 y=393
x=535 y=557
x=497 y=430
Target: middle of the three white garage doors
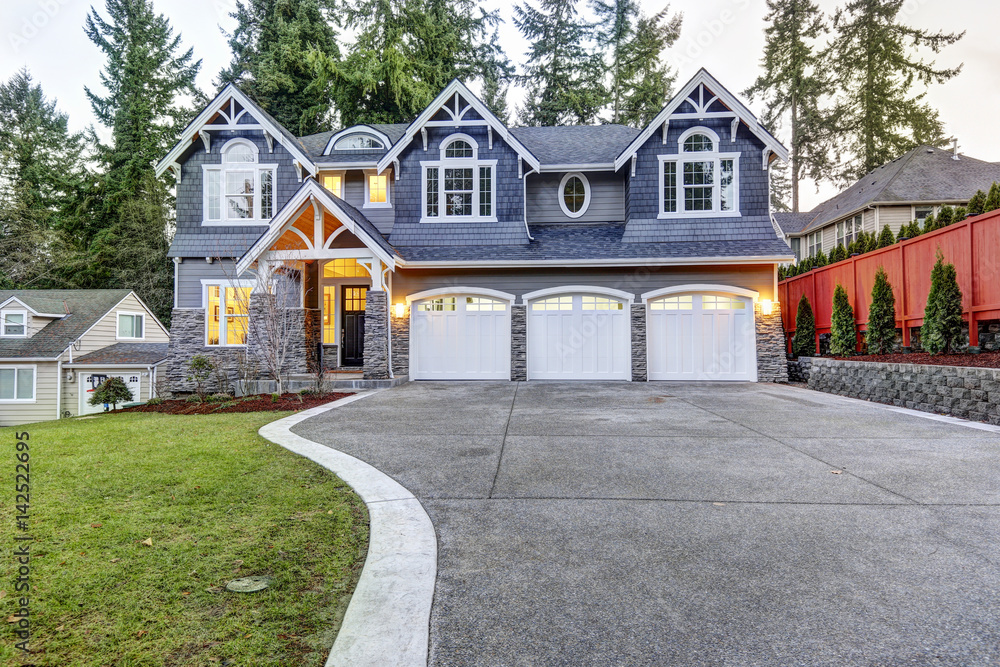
x=579 y=337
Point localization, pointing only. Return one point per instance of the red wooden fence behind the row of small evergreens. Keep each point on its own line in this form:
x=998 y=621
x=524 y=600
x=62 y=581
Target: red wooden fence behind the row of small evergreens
x=972 y=245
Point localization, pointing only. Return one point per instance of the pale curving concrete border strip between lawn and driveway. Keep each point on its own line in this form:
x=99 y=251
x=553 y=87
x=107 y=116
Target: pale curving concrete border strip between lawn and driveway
x=388 y=619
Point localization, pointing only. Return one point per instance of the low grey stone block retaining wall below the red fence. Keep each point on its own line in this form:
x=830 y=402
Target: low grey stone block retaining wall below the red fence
x=968 y=393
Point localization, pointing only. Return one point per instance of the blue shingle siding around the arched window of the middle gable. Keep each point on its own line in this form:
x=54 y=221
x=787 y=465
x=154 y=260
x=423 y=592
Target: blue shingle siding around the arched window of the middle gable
x=509 y=204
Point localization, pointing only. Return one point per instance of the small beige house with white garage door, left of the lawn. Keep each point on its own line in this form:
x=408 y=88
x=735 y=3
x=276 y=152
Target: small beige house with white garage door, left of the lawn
x=57 y=345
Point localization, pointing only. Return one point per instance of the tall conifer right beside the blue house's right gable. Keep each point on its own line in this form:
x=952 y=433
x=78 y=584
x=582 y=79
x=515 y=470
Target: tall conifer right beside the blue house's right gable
x=794 y=84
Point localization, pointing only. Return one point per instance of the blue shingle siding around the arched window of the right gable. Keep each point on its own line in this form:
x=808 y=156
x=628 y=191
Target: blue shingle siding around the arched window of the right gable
x=642 y=203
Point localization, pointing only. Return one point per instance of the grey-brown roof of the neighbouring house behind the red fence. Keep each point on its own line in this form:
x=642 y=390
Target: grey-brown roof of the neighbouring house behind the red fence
x=924 y=175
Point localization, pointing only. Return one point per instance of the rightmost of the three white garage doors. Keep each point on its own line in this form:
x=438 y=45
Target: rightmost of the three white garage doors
x=701 y=337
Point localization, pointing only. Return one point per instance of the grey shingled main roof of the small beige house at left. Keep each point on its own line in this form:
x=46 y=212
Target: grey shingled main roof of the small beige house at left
x=81 y=308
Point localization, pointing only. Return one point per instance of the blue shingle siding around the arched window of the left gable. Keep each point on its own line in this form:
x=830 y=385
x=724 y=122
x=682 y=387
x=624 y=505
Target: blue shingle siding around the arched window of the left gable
x=192 y=239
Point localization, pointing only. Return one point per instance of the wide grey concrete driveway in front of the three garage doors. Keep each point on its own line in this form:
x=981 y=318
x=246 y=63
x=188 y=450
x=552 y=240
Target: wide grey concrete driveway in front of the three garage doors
x=665 y=524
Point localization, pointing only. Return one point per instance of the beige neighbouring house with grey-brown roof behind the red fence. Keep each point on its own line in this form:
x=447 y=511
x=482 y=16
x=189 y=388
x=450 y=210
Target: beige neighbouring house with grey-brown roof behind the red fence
x=909 y=188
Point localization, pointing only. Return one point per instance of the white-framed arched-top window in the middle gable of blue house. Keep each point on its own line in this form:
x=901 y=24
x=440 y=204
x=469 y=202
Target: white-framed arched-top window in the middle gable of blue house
x=459 y=187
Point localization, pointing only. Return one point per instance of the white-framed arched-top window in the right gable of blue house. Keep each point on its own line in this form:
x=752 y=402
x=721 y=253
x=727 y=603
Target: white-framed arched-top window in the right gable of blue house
x=699 y=180
